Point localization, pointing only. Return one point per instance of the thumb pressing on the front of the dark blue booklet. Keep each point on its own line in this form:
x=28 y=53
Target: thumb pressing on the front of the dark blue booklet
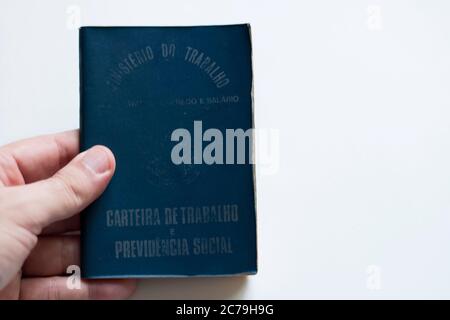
x=70 y=190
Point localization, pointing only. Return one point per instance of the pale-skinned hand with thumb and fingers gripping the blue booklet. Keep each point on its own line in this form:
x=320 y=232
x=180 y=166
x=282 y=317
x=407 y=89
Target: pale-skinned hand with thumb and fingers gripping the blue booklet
x=44 y=184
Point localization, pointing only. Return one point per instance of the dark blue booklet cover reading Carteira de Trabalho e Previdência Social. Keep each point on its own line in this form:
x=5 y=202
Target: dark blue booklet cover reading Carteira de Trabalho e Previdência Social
x=139 y=84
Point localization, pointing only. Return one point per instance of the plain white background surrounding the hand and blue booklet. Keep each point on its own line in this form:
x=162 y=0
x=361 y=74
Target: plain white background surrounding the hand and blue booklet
x=359 y=93
